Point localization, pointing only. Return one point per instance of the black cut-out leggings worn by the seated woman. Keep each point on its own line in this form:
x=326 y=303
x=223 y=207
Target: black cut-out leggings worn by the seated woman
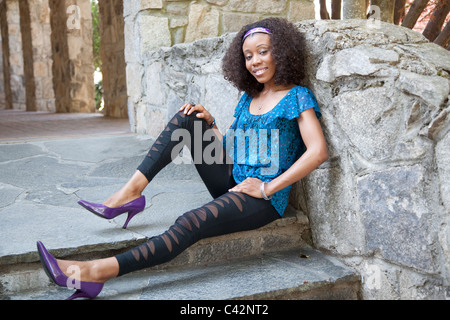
x=229 y=211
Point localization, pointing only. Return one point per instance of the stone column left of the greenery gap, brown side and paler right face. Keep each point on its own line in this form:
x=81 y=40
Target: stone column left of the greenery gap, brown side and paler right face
x=73 y=67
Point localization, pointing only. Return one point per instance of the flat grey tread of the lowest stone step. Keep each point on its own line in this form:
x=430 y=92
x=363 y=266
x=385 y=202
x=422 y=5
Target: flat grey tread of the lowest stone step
x=302 y=273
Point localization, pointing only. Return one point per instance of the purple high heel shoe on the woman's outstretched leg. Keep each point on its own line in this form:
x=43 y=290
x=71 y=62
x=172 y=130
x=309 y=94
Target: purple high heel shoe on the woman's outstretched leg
x=85 y=289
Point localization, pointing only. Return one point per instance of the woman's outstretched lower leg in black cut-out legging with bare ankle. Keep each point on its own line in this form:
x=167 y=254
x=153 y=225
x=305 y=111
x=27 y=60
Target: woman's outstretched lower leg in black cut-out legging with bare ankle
x=231 y=212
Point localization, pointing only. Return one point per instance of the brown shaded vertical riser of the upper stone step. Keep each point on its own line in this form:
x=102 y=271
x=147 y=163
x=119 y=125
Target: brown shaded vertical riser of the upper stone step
x=23 y=271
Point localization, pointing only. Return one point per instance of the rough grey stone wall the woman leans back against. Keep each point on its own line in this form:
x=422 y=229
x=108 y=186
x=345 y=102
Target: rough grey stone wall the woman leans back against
x=382 y=201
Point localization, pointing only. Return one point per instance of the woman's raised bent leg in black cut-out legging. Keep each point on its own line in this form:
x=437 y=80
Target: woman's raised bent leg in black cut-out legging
x=217 y=175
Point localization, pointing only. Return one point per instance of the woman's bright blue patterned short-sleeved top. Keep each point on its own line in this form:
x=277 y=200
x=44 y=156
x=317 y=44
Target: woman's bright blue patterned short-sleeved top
x=264 y=146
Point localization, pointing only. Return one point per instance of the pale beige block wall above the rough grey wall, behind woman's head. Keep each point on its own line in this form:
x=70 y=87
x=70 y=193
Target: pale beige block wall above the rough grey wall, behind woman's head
x=157 y=23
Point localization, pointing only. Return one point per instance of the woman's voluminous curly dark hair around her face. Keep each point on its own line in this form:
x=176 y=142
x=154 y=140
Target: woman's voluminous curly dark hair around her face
x=287 y=46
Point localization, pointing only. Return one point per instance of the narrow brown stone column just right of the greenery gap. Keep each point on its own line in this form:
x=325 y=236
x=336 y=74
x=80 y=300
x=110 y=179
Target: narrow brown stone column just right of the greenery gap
x=113 y=58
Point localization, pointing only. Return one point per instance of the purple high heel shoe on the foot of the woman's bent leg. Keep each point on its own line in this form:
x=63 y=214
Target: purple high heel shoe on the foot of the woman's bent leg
x=132 y=207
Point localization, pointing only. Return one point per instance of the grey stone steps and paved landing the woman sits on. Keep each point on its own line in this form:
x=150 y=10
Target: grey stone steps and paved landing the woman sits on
x=274 y=262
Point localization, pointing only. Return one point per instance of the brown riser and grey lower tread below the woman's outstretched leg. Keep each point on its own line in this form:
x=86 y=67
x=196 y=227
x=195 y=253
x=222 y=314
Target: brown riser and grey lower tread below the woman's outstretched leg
x=274 y=262
